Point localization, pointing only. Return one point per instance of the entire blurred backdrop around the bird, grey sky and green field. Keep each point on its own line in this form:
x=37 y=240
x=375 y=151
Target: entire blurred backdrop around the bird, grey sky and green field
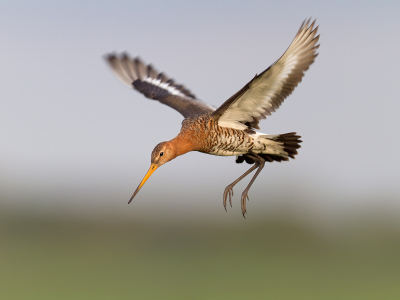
x=75 y=143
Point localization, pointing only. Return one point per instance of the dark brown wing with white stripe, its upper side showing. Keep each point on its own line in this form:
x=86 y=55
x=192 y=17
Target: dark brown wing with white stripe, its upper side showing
x=154 y=85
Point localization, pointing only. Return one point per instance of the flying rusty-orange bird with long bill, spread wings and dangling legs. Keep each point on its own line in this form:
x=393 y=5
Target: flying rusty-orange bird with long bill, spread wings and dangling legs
x=229 y=130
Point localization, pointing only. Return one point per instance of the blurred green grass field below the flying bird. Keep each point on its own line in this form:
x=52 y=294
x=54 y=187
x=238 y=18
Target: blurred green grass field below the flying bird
x=47 y=257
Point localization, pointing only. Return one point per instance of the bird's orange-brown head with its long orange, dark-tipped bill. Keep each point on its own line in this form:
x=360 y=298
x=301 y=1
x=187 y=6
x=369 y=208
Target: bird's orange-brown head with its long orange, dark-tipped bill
x=162 y=153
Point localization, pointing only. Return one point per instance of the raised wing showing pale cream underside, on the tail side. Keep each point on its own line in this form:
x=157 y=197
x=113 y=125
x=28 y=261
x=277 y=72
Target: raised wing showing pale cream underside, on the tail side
x=265 y=92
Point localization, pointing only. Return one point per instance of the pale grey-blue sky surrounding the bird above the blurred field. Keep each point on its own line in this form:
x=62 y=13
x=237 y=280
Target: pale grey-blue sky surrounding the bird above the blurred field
x=71 y=133
